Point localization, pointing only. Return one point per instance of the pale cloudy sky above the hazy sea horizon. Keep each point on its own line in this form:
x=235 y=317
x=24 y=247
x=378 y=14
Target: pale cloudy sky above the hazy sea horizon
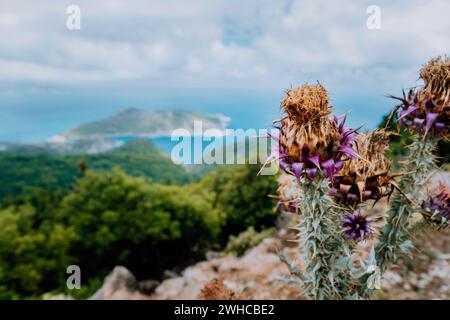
x=222 y=43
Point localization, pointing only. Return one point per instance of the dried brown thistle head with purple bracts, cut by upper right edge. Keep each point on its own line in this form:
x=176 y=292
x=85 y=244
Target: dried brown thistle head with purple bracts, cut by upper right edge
x=427 y=110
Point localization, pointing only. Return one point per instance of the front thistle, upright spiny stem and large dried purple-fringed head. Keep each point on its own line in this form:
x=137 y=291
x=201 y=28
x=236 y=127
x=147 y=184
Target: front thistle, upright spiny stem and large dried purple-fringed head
x=313 y=148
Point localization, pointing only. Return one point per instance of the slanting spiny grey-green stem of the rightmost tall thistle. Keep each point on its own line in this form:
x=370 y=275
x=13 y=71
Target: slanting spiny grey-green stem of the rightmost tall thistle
x=394 y=237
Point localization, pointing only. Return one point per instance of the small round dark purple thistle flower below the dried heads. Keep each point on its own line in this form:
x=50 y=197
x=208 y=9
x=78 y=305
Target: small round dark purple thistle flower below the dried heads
x=356 y=225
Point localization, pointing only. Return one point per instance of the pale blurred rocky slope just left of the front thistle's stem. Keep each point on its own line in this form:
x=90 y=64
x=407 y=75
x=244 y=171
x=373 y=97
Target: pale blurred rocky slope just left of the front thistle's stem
x=254 y=275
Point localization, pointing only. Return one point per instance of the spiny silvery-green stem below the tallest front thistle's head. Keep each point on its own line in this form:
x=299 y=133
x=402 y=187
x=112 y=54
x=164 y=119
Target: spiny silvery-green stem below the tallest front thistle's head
x=325 y=274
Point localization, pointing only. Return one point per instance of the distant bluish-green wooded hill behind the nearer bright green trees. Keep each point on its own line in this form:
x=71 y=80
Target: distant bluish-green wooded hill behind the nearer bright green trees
x=22 y=172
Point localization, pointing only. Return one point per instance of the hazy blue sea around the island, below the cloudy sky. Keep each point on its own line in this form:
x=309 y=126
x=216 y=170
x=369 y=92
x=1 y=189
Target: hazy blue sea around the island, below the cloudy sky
x=35 y=117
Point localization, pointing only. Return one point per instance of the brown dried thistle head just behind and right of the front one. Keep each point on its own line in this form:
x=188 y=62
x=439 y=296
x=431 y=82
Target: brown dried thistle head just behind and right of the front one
x=365 y=177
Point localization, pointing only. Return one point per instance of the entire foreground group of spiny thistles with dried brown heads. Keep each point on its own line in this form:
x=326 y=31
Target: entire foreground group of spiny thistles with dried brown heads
x=331 y=174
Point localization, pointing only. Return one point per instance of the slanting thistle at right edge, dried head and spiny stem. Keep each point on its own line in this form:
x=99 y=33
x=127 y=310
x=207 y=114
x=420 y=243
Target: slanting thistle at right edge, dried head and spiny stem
x=425 y=113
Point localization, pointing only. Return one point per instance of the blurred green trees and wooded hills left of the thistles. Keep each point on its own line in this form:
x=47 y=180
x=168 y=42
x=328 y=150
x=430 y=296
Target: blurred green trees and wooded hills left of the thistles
x=131 y=206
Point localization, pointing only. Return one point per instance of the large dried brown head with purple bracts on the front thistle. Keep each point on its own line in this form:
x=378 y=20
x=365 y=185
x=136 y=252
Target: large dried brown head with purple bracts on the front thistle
x=310 y=142
